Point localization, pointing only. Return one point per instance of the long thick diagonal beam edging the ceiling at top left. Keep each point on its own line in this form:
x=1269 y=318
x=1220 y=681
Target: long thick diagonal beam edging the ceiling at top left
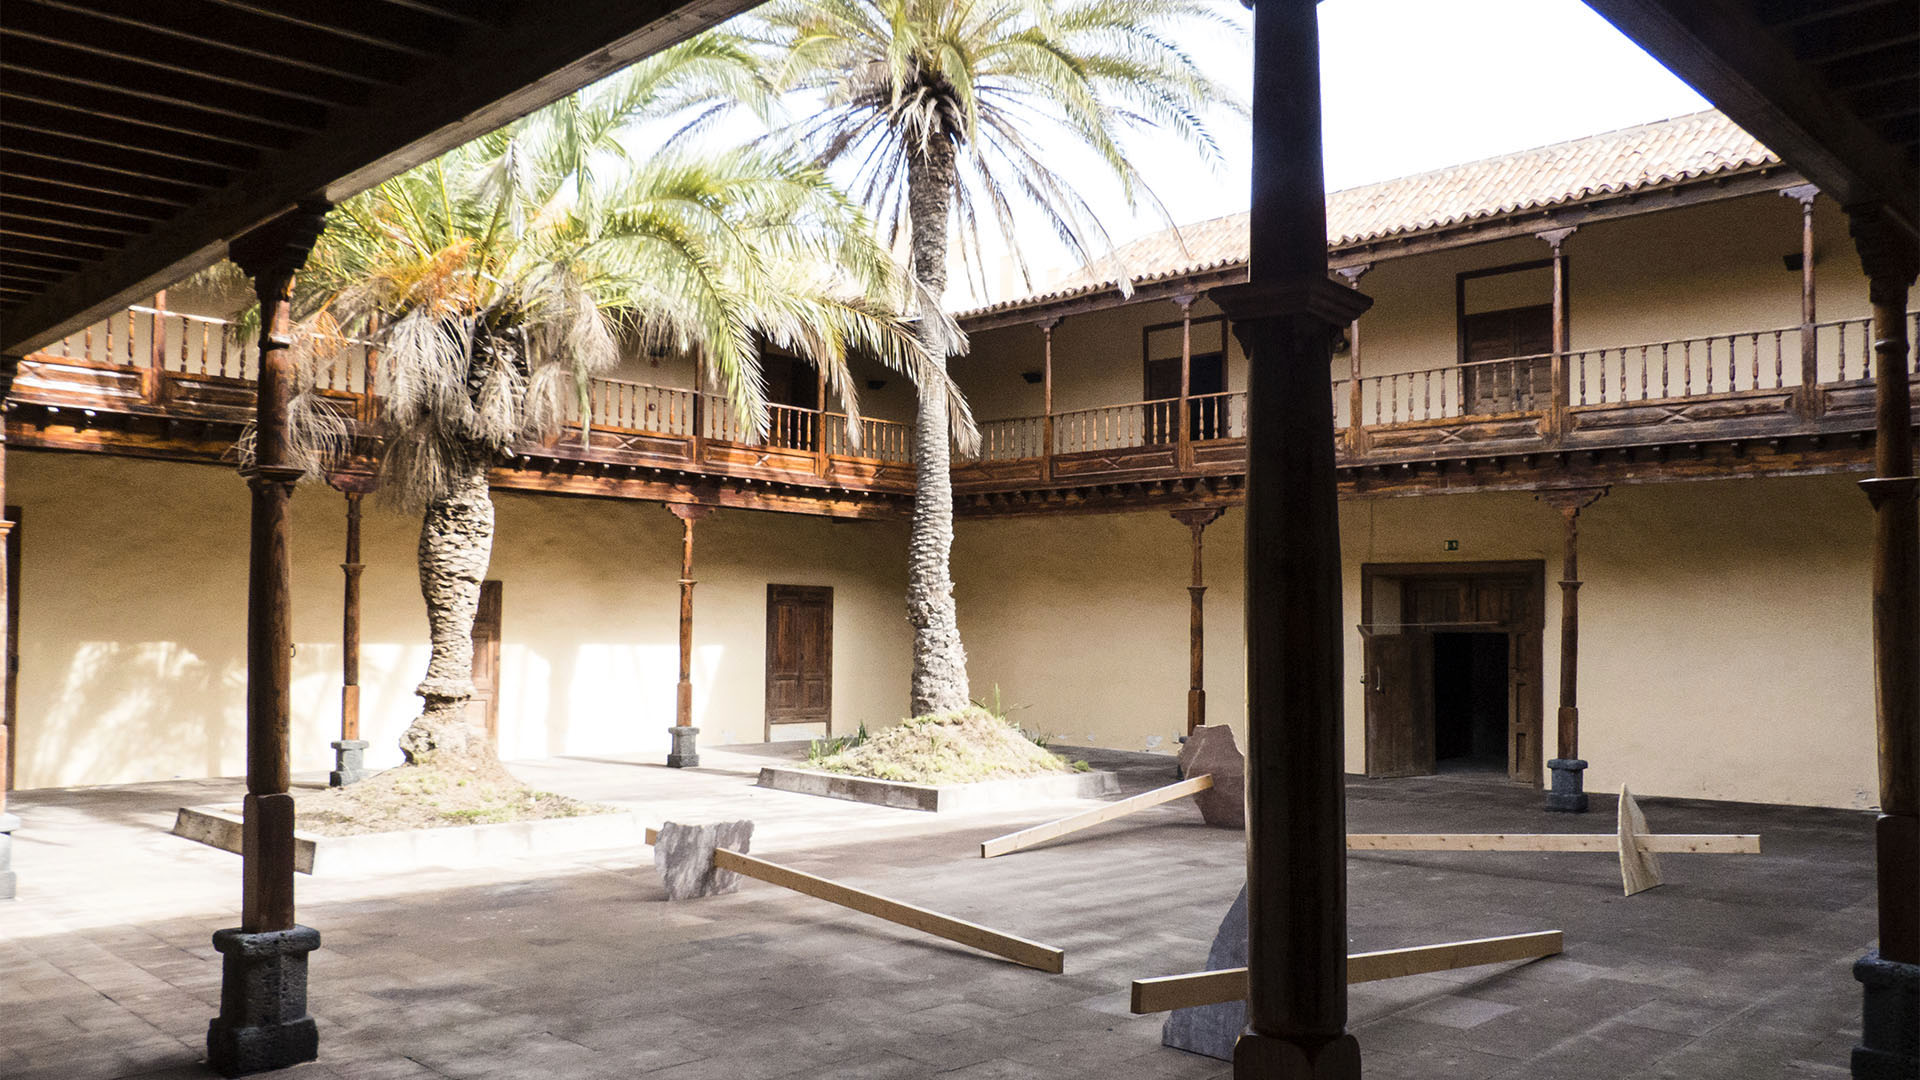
x=496 y=76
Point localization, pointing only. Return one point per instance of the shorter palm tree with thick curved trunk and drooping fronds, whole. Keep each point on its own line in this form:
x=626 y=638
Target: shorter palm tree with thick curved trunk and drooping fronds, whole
x=506 y=274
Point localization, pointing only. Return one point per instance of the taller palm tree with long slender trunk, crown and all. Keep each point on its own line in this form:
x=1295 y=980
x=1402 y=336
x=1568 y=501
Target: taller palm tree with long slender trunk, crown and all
x=946 y=112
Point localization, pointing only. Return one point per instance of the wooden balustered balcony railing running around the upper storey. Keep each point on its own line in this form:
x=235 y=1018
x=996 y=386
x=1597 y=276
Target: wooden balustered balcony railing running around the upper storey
x=1746 y=385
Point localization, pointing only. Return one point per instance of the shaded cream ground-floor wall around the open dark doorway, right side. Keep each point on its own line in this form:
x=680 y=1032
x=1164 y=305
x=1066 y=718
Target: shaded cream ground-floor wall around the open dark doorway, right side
x=1725 y=627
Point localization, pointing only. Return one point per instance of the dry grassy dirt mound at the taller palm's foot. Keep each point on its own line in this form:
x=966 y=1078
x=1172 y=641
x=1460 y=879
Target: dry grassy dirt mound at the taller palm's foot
x=946 y=749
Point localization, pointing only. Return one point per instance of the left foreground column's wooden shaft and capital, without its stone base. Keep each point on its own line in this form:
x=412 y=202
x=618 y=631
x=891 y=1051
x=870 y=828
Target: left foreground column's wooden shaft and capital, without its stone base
x=272 y=257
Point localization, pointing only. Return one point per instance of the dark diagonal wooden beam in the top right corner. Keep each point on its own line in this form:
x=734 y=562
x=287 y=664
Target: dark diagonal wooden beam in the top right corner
x=1723 y=51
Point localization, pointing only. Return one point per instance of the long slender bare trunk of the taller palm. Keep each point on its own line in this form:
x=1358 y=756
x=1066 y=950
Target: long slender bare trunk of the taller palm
x=940 y=660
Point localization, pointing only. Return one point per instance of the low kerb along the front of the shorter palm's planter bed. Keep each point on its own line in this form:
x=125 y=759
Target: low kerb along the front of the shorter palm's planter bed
x=454 y=847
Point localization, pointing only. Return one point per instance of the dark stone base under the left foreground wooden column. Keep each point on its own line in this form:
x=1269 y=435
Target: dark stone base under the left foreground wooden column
x=264 y=1018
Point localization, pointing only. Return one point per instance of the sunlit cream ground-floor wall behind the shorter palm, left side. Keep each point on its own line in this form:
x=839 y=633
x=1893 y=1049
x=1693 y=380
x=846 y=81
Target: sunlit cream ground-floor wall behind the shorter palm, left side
x=133 y=612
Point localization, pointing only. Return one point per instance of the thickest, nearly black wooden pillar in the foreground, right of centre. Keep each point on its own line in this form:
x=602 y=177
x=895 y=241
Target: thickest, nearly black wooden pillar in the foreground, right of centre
x=1285 y=318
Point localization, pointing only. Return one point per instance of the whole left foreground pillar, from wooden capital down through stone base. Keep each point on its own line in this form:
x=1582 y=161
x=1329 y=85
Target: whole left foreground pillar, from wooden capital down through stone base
x=264 y=1000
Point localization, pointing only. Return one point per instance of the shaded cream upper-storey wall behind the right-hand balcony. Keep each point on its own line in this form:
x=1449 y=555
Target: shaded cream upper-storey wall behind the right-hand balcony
x=1708 y=270
